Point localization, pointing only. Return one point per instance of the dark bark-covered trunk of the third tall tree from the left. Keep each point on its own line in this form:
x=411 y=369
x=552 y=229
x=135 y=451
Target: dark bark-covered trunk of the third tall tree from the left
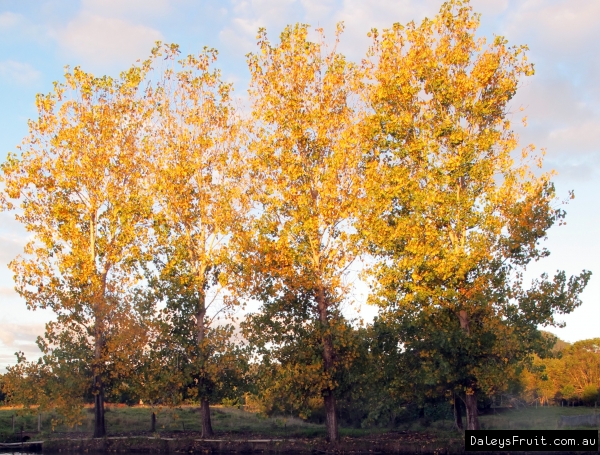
x=328 y=354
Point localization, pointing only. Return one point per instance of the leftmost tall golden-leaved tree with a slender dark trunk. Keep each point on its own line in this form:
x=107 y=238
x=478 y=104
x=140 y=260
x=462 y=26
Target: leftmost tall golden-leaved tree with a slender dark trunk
x=79 y=183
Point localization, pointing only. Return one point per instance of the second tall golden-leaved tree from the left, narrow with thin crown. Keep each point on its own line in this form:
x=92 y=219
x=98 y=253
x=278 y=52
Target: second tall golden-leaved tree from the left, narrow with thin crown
x=197 y=182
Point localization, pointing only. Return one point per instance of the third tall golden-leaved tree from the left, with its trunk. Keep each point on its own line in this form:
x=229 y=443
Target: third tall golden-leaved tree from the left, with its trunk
x=307 y=187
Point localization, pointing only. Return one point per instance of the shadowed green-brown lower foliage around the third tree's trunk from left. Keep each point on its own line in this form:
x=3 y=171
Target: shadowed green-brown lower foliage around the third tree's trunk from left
x=287 y=340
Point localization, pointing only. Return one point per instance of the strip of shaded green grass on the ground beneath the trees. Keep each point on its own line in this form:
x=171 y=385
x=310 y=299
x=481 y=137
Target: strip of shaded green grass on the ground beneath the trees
x=232 y=422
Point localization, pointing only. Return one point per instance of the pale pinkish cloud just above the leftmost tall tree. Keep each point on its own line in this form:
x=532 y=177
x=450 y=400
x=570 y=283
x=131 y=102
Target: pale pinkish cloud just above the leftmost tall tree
x=99 y=40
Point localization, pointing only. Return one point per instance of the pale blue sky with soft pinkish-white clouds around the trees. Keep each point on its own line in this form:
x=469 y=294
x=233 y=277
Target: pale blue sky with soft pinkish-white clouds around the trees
x=561 y=102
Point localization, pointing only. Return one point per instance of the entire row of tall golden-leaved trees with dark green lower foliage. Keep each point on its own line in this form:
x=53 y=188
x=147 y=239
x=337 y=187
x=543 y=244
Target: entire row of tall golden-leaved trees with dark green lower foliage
x=157 y=208
